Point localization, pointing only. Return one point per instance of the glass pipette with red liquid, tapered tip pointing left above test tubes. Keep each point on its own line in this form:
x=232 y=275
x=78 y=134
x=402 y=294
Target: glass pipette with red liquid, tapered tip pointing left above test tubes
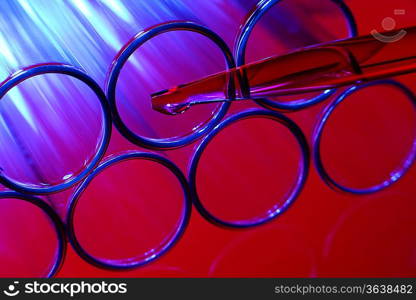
x=317 y=68
